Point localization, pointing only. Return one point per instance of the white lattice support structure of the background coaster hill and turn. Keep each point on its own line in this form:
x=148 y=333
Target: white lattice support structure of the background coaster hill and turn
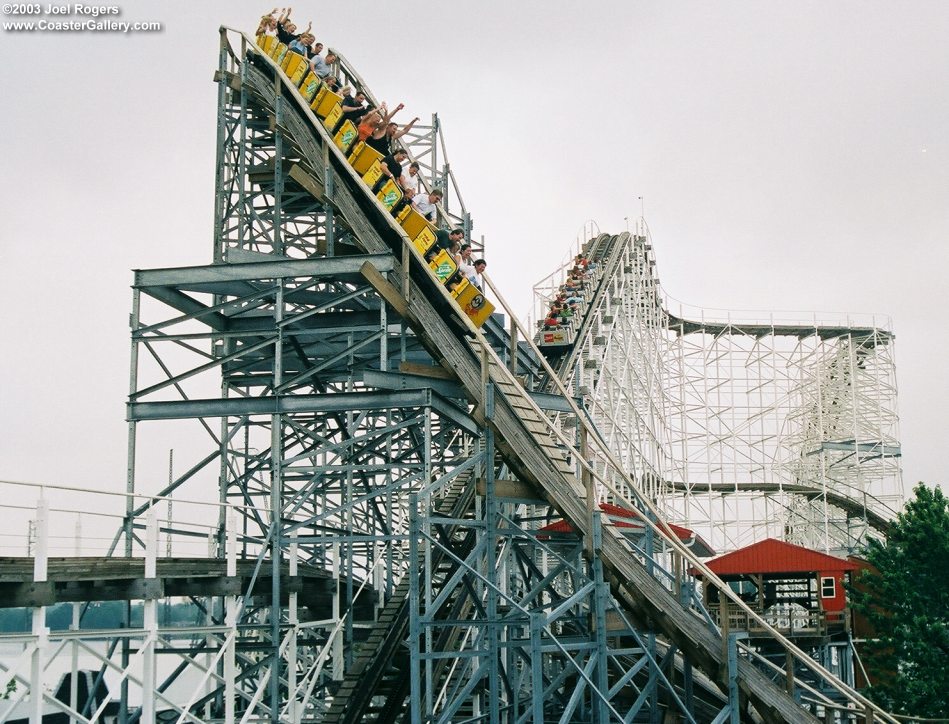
x=743 y=427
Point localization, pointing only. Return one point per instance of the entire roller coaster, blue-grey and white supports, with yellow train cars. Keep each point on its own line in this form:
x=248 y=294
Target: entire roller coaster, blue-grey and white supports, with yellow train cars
x=384 y=457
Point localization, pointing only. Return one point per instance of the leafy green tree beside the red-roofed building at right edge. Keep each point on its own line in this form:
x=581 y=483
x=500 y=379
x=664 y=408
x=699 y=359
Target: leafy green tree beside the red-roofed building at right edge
x=905 y=597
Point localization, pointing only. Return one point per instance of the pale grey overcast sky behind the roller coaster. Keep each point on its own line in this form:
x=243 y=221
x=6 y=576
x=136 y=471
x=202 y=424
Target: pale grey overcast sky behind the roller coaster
x=792 y=156
